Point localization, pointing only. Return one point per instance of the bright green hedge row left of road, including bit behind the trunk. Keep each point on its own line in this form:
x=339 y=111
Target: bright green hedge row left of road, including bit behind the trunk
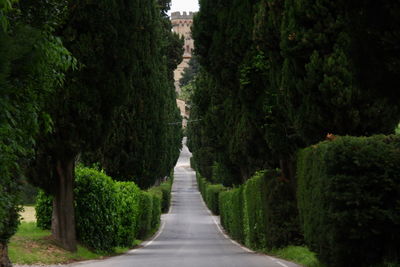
x=108 y=213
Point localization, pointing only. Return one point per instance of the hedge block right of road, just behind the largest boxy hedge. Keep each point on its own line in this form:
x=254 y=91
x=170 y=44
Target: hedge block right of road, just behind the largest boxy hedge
x=270 y=214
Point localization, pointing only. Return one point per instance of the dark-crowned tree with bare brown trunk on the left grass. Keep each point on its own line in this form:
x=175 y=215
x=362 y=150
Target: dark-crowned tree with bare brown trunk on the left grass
x=101 y=36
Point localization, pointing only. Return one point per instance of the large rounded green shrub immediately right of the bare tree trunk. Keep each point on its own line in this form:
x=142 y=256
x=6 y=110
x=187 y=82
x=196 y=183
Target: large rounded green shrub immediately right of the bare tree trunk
x=96 y=209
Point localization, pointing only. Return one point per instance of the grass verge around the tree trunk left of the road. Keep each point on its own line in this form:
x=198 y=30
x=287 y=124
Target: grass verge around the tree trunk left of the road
x=31 y=245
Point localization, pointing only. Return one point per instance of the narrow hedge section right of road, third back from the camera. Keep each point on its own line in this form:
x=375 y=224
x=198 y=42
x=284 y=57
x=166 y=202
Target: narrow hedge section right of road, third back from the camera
x=231 y=211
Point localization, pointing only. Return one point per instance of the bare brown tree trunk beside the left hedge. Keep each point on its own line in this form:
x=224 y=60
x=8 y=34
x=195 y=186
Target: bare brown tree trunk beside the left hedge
x=63 y=219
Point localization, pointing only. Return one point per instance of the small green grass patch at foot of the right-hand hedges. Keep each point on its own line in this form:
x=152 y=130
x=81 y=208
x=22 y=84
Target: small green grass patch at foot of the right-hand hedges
x=297 y=254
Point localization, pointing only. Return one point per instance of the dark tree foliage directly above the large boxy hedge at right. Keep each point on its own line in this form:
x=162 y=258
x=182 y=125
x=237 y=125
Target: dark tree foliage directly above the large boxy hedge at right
x=331 y=50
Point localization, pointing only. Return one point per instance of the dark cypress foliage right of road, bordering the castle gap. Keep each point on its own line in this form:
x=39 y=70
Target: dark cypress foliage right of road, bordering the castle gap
x=228 y=105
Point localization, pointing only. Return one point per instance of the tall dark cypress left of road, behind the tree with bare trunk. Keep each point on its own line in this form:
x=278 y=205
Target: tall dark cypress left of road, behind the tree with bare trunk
x=146 y=138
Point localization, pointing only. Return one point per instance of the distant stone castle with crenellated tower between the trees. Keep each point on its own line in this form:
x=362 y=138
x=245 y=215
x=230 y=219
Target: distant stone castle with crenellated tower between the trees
x=181 y=24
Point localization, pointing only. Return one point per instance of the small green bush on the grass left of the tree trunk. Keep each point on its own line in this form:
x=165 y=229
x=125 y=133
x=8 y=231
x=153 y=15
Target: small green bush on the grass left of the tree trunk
x=44 y=210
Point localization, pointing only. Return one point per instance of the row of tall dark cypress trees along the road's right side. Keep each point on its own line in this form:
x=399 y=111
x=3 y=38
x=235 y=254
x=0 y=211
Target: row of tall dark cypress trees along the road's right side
x=286 y=73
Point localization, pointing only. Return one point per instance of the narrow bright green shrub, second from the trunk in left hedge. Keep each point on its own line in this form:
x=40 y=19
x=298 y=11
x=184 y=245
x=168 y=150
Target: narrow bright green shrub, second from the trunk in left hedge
x=128 y=213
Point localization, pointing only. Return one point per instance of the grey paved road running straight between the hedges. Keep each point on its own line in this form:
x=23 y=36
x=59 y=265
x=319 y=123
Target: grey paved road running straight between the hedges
x=189 y=236
